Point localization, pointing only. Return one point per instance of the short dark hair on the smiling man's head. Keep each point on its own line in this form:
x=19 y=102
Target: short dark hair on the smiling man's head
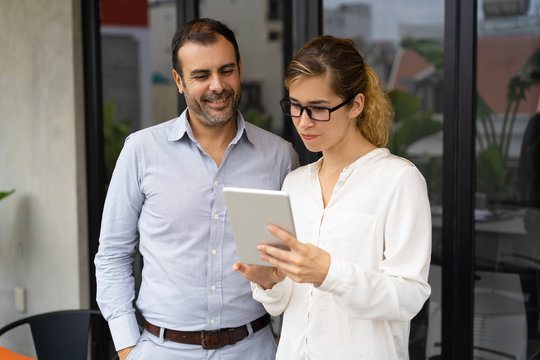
x=203 y=31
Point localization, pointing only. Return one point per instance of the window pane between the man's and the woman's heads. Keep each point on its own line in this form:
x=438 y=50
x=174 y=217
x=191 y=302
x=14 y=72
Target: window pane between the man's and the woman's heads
x=260 y=41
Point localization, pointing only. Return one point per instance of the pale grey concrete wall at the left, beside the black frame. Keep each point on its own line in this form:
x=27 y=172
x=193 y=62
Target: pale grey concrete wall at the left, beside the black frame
x=43 y=229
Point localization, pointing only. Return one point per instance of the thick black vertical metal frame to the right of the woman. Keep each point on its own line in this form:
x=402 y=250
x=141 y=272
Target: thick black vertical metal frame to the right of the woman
x=458 y=178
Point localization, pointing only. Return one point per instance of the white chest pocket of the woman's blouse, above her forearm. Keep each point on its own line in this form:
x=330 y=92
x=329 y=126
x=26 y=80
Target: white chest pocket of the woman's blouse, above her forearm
x=350 y=236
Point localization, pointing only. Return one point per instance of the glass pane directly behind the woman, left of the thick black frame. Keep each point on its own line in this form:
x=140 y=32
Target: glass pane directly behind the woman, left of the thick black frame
x=403 y=43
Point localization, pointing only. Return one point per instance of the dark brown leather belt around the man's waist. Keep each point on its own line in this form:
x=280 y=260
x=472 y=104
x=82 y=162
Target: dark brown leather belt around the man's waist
x=210 y=339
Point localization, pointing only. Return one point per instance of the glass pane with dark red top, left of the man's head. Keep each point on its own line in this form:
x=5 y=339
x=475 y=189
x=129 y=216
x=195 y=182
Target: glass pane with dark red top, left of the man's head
x=138 y=87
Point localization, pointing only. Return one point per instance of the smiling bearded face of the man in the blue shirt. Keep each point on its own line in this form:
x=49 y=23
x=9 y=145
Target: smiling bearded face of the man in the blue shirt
x=211 y=81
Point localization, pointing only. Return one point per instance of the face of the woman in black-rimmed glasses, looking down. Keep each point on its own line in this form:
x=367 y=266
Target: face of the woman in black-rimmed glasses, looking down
x=317 y=135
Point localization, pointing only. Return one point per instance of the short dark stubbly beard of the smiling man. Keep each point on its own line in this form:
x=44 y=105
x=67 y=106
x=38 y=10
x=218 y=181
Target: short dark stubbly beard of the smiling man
x=209 y=116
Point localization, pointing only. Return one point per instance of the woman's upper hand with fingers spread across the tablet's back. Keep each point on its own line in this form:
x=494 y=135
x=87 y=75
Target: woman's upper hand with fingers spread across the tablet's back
x=303 y=263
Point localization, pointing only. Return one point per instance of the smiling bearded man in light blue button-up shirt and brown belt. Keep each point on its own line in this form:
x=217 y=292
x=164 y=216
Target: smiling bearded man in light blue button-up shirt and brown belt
x=166 y=197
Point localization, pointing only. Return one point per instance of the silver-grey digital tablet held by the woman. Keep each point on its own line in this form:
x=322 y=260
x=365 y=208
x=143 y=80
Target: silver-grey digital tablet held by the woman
x=250 y=211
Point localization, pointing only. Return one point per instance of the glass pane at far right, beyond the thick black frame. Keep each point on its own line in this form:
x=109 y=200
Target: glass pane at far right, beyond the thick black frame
x=507 y=202
